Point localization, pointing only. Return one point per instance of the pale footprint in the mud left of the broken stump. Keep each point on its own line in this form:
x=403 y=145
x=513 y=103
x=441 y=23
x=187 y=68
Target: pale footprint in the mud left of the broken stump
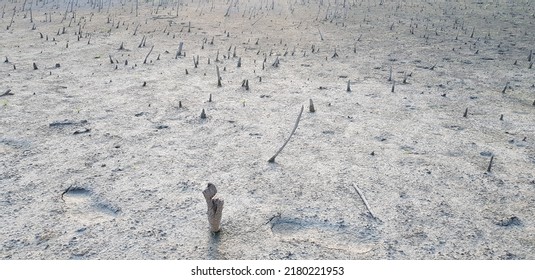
x=84 y=206
